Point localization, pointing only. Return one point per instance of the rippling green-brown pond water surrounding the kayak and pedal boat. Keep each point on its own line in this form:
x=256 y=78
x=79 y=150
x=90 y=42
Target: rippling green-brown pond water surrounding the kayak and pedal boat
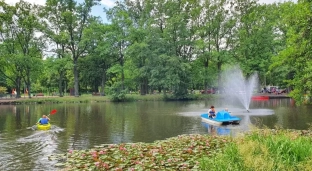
x=82 y=126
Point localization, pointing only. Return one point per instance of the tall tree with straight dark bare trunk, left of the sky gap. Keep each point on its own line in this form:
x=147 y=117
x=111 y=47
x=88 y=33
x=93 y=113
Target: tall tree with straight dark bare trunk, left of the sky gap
x=74 y=18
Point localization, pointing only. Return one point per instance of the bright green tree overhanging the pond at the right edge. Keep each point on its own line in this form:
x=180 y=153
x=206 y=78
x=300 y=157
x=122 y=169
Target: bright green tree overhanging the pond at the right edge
x=297 y=55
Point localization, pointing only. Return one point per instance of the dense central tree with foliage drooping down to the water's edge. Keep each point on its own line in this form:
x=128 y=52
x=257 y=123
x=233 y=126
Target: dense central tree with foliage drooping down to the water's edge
x=170 y=25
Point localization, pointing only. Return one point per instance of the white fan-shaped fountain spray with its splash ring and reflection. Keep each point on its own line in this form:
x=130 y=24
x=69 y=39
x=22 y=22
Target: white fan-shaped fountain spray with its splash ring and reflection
x=237 y=91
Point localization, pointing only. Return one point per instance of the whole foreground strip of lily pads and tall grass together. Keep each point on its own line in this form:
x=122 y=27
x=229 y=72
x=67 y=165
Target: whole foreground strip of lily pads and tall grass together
x=257 y=150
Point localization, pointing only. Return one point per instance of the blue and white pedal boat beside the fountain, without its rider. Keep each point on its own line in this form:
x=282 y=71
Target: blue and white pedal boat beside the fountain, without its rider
x=222 y=118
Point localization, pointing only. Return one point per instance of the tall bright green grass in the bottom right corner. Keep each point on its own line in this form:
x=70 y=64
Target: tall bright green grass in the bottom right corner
x=265 y=150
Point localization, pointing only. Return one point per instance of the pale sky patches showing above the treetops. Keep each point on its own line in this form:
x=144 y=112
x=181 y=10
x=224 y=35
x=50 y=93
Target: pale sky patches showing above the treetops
x=98 y=10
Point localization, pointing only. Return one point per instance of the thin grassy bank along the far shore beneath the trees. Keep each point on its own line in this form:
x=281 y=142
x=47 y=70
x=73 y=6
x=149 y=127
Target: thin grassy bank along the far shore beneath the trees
x=89 y=98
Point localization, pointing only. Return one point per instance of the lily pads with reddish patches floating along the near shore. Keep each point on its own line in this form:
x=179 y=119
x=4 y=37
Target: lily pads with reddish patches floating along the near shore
x=183 y=152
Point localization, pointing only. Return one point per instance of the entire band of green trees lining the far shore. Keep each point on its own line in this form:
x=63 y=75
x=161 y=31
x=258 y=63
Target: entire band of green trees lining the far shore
x=153 y=46
